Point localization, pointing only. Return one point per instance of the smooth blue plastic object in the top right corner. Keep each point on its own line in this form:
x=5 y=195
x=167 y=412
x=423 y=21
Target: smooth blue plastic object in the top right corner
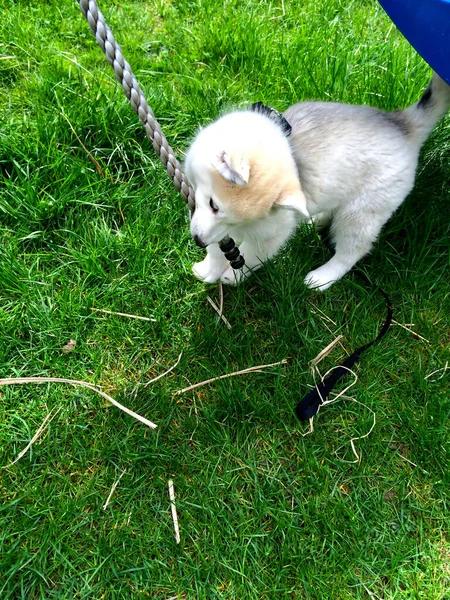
x=426 y=26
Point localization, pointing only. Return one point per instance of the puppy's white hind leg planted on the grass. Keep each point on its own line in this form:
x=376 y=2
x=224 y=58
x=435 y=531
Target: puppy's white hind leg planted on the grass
x=353 y=232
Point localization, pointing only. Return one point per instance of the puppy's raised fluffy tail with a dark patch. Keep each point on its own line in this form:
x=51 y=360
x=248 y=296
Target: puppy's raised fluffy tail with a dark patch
x=431 y=107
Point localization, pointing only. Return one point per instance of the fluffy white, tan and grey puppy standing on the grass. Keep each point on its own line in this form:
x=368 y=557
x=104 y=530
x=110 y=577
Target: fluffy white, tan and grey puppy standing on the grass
x=257 y=174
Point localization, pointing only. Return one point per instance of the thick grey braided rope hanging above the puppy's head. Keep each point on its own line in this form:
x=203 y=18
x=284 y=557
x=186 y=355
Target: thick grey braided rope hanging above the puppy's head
x=133 y=92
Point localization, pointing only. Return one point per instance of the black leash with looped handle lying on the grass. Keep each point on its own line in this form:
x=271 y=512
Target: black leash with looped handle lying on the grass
x=310 y=404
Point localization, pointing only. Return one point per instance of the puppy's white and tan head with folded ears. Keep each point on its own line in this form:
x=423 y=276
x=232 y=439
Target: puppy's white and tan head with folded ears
x=241 y=168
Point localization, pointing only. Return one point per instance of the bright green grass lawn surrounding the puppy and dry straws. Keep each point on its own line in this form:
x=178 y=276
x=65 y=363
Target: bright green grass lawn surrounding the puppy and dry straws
x=264 y=512
